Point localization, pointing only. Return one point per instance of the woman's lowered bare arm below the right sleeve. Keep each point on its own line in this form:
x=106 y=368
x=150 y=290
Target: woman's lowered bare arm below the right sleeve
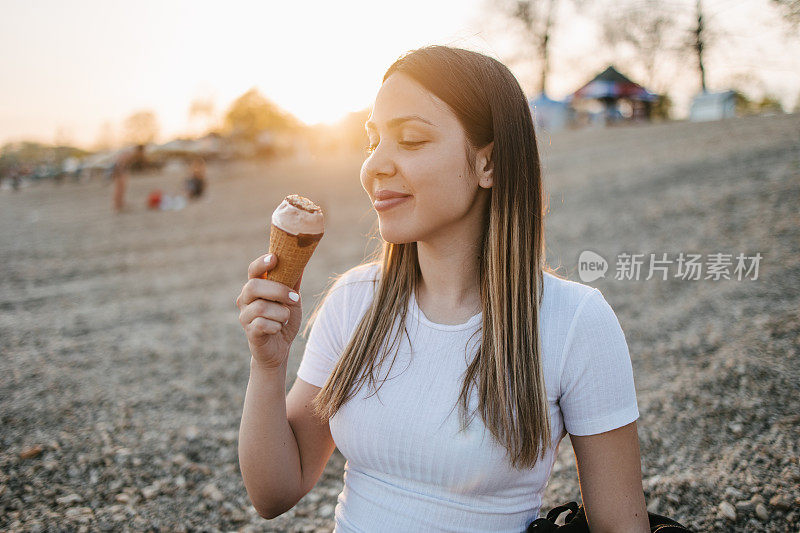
x=610 y=476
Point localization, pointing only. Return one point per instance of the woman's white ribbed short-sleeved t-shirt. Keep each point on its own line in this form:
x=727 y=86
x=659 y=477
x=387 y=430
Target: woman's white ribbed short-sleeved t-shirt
x=408 y=468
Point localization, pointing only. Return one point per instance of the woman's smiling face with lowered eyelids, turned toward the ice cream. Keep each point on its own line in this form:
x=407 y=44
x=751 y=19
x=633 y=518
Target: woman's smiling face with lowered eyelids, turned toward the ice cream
x=424 y=156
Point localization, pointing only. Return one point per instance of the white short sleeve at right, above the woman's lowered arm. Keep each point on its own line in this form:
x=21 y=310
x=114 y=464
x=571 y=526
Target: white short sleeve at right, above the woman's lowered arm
x=597 y=387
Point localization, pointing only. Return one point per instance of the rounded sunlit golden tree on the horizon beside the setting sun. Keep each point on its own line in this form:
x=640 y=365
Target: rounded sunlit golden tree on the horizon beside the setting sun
x=252 y=113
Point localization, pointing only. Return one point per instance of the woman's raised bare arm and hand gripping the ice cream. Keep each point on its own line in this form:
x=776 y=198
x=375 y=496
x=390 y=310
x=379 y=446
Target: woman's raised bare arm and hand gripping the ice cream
x=283 y=446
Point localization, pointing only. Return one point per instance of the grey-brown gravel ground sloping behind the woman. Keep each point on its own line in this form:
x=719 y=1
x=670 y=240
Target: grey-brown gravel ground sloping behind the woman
x=124 y=367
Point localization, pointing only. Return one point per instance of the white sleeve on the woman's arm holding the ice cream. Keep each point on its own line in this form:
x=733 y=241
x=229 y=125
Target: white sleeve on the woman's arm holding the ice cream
x=326 y=340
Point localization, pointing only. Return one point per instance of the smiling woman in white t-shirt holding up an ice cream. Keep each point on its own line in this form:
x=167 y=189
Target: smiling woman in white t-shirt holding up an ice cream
x=451 y=135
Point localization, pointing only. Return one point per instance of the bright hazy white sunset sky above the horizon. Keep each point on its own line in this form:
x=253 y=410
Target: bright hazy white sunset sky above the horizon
x=70 y=67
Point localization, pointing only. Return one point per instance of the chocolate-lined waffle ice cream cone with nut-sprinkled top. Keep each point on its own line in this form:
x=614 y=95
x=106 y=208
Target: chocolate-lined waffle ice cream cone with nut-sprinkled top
x=296 y=229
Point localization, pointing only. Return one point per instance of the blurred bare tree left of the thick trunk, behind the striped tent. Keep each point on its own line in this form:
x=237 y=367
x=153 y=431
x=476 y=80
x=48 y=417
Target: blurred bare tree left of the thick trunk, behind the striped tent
x=646 y=26
